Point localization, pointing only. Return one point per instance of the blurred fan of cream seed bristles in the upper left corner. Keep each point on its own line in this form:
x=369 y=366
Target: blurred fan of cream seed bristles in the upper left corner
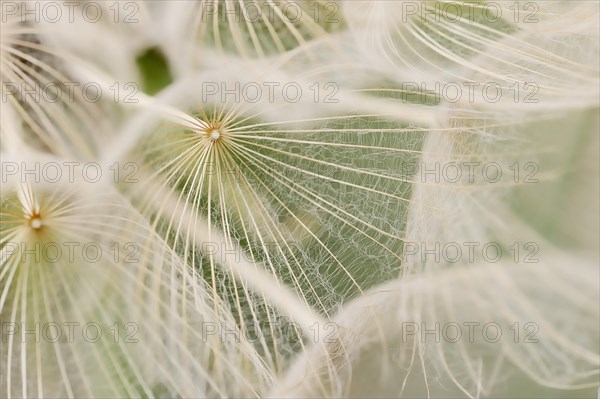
x=36 y=96
